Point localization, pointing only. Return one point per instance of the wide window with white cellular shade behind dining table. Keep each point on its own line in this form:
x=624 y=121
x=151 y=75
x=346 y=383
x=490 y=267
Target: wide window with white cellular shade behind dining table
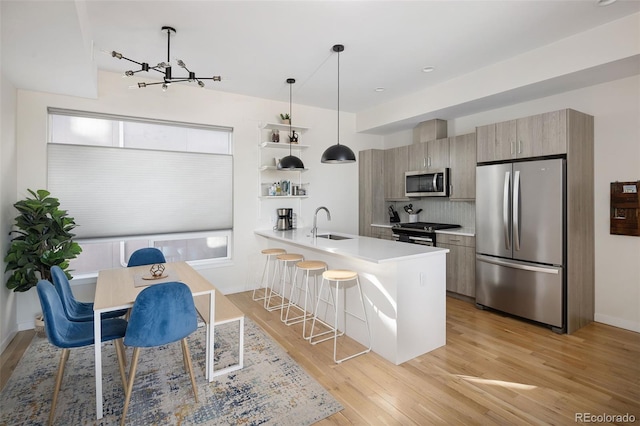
x=132 y=183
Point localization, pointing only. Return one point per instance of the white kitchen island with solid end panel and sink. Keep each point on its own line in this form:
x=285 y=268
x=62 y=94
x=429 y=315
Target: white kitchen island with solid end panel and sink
x=404 y=286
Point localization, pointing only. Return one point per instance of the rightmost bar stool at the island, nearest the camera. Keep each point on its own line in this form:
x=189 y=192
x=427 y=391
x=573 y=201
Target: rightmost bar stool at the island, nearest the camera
x=338 y=278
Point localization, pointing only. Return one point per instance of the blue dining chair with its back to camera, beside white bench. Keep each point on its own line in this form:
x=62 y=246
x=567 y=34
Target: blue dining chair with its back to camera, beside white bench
x=161 y=314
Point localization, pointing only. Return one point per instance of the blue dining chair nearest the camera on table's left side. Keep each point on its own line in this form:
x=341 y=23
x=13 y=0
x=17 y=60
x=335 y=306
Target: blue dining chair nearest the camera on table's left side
x=66 y=334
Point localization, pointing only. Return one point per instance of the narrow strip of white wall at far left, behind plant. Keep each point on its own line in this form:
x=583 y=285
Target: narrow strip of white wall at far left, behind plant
x=7 y=198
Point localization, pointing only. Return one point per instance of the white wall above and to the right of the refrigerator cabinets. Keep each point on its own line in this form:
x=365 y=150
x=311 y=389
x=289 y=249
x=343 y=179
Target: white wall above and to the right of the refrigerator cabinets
x=616 y=108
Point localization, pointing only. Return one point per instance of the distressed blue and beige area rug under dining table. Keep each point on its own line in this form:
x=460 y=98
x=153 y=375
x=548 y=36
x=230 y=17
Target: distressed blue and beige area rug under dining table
x=271 y=389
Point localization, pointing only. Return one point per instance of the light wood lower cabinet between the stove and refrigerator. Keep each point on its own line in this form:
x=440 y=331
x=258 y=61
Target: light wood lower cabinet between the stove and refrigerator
x=461 y=263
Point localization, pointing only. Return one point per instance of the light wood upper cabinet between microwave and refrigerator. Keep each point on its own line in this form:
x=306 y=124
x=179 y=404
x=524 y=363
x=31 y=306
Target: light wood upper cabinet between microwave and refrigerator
x=462 y=159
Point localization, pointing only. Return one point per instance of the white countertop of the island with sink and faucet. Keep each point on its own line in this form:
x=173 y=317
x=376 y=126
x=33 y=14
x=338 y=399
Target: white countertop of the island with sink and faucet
x=363 y=248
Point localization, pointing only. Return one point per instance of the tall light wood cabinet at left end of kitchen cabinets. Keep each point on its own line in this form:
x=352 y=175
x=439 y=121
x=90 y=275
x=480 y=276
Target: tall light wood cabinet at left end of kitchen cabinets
x=371 y=171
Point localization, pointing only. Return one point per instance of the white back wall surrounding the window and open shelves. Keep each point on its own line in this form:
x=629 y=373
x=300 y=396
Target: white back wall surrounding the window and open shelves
x=334 y=186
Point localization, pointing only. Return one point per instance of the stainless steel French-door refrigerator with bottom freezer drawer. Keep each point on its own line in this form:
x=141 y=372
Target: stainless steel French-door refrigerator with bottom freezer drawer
x=520 y=239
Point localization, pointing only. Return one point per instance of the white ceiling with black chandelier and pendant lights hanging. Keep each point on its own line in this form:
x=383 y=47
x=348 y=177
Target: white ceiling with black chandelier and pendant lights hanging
x=56 y=45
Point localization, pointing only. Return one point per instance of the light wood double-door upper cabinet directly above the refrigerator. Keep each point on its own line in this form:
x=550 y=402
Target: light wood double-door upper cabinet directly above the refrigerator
x=534 y=136
